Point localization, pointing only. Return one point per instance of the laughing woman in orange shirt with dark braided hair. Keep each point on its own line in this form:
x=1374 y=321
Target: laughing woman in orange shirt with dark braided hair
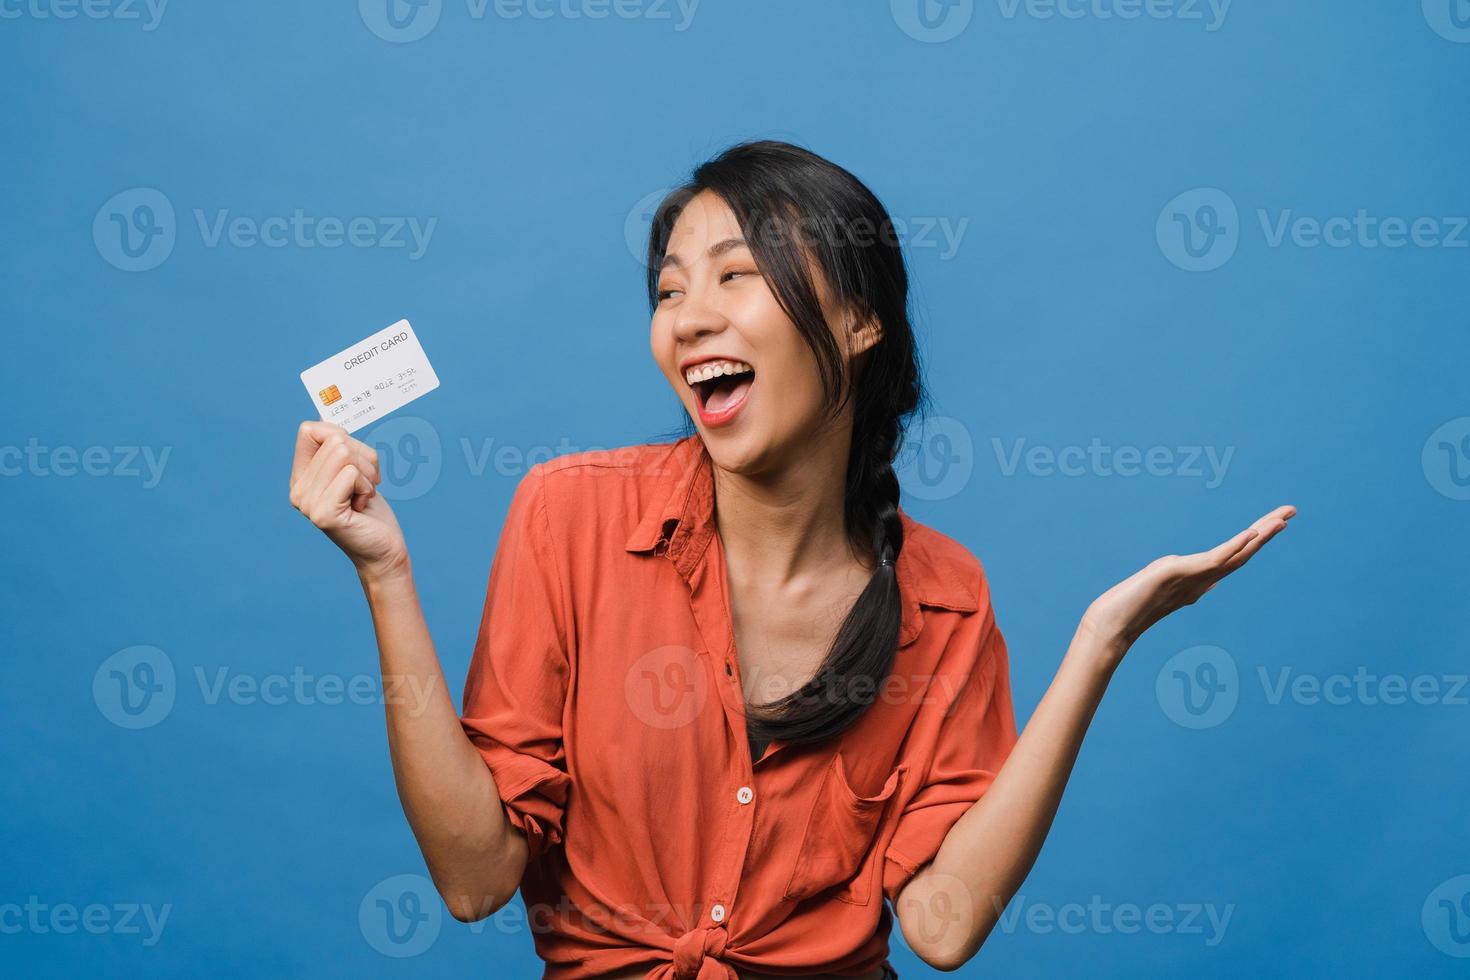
x=731 y=710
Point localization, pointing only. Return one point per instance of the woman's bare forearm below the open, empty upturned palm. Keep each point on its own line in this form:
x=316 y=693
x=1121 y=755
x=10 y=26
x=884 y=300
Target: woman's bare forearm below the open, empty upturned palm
x=992 y=850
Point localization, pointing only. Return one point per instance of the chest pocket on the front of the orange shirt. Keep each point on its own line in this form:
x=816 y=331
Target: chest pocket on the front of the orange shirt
x=839 y=837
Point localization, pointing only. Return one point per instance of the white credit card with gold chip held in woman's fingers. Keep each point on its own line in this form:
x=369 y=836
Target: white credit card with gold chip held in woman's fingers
x=370 y=380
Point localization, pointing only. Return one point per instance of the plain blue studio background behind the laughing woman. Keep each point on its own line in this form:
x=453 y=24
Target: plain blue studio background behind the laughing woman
x=1062 y=318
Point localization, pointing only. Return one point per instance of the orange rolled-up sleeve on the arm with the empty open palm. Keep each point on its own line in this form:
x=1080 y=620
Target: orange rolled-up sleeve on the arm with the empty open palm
x=975 y=738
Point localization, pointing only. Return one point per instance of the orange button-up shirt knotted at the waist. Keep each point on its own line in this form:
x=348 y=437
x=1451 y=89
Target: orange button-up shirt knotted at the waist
x=605 y=696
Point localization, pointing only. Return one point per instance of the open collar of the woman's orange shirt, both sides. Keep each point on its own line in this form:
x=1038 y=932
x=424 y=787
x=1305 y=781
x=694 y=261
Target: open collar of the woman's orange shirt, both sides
x=678 y=525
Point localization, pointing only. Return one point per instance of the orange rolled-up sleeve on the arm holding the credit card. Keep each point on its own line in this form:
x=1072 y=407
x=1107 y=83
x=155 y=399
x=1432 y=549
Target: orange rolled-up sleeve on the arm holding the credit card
x=518 y=677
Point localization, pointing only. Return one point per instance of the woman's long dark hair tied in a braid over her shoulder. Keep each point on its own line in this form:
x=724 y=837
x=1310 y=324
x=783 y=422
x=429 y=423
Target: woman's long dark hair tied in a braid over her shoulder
x=796 y=208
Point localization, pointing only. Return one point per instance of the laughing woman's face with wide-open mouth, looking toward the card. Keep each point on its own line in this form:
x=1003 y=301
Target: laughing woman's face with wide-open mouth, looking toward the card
x=730 y=352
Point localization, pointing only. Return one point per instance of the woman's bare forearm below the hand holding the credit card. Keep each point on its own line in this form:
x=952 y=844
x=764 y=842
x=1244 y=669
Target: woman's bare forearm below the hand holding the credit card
x=448 y=793
